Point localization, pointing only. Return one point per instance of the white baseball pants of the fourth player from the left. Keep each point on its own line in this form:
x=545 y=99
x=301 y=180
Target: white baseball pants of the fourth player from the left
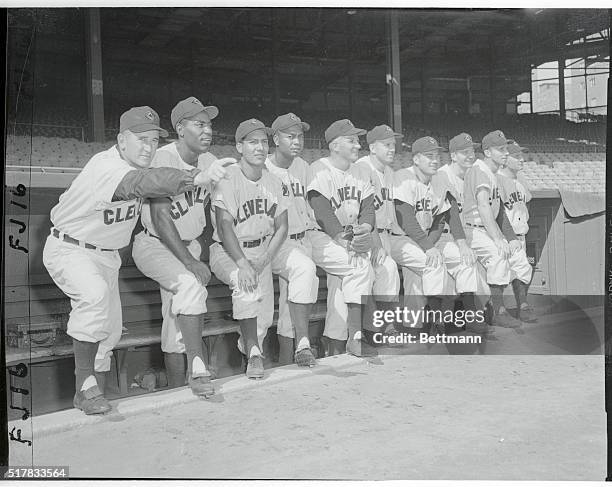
x=299 y=282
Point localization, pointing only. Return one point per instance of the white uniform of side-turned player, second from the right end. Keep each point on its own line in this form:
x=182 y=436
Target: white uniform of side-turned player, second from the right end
x=480 y=176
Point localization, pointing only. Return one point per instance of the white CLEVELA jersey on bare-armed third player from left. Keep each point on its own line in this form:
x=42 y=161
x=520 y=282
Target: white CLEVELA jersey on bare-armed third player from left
x=253 y=204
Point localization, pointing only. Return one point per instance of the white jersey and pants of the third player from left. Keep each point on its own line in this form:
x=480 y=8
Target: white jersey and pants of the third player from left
x=254 y=205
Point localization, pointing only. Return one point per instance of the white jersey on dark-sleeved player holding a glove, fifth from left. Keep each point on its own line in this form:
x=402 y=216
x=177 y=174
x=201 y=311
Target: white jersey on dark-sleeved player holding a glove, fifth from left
x=345 y=190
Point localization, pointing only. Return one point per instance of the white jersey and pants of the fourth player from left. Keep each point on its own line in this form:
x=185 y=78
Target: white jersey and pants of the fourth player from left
x=299 y=282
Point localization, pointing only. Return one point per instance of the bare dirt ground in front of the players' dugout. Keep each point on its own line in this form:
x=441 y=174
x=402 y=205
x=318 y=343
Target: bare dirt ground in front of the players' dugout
x=395 y=417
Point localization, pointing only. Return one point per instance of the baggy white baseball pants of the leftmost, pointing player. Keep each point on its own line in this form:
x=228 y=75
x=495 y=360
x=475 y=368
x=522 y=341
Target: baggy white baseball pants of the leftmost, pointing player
x=90 y=278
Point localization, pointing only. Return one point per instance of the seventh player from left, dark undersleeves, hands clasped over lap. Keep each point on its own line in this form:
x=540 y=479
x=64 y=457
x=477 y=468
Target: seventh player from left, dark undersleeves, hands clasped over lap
x=422 y=211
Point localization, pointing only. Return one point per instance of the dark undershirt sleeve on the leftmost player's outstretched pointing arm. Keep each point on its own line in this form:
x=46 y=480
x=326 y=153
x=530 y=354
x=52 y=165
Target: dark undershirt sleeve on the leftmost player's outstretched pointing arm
x=154 y=183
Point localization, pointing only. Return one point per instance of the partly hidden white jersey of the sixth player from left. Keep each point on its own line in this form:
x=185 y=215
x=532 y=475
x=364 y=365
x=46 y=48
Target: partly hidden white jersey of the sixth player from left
x=382 y=184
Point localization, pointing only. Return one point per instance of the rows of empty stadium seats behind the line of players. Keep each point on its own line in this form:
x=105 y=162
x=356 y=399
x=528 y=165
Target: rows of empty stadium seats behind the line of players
x=562 y=154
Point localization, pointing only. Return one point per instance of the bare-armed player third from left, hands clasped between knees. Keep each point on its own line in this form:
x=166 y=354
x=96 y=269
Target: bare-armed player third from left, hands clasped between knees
x=251 y=220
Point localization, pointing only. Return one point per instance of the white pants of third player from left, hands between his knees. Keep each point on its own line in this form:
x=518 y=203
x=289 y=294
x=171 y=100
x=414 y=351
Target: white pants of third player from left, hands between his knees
x=258 y=304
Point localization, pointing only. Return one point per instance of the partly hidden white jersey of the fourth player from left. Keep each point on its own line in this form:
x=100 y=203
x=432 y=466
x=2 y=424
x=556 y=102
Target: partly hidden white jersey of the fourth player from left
x=294 y=182
